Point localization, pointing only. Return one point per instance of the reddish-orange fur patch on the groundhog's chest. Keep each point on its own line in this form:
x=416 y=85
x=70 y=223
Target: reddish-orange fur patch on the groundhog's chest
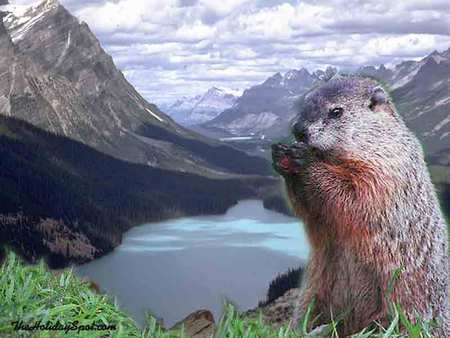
x=345 y=201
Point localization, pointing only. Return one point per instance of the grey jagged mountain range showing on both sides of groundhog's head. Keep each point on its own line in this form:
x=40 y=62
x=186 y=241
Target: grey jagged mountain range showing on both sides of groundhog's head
x=420 y=89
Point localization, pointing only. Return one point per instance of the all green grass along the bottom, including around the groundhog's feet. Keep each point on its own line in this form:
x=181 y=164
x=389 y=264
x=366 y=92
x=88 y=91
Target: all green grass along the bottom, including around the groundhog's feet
x=33 y=293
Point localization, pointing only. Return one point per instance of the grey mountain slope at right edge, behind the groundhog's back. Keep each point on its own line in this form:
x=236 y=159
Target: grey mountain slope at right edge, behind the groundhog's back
x=421 y=92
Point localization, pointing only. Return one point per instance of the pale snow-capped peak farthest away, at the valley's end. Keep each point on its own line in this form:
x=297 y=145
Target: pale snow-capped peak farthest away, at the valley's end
x=201 y=108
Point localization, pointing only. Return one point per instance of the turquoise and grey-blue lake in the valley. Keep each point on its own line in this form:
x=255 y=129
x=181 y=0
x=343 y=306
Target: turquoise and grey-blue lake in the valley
x=175 y=267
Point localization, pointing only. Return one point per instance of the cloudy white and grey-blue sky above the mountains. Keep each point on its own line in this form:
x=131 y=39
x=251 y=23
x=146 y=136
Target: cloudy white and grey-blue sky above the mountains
x=171 y=48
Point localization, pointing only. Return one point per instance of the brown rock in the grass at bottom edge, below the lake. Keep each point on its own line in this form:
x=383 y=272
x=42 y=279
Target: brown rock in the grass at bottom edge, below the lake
x=198 y=324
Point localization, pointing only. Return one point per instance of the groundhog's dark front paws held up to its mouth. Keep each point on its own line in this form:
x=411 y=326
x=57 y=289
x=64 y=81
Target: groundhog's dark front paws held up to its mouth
x=287 y=159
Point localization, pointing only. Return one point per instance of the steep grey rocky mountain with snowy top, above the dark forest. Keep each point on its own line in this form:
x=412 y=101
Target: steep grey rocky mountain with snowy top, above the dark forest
x=56 y=76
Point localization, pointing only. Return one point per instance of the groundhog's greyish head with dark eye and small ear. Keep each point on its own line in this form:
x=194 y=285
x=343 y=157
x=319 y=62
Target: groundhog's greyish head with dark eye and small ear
x=348 y=113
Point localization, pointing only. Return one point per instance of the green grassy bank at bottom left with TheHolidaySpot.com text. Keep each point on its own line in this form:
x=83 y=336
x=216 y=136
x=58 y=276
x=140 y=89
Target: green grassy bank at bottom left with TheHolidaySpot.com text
x=33 y=293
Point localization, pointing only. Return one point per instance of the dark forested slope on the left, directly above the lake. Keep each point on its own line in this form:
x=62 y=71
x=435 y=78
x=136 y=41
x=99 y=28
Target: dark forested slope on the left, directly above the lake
x=71 y=203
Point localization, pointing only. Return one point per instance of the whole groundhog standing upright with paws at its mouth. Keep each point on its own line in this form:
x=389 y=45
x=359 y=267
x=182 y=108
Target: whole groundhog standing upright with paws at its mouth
x=357 y=178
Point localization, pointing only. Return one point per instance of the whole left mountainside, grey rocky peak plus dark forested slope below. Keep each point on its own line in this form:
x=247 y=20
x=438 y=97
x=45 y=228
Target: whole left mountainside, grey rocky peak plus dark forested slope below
x=84 y=156
